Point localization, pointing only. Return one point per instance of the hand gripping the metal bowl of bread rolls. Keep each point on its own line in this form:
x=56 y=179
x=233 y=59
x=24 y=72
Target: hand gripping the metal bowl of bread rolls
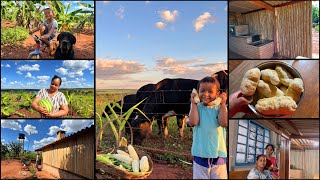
x=238 y=103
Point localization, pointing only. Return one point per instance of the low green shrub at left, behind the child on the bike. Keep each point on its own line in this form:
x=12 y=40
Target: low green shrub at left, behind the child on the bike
x=13 y=35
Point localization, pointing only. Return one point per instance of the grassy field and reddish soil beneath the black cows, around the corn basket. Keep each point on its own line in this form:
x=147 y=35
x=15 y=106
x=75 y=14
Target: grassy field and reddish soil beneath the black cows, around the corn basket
x=167 y=154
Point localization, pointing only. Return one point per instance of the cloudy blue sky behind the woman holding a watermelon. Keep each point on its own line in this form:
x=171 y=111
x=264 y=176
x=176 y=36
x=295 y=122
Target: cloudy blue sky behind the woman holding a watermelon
x=37 y=74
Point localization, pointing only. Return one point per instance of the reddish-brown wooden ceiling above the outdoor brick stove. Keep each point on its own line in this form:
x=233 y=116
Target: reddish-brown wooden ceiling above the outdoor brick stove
x=249 y=6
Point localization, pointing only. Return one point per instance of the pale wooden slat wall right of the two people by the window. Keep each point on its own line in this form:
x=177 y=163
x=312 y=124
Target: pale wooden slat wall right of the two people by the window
x=307 y=160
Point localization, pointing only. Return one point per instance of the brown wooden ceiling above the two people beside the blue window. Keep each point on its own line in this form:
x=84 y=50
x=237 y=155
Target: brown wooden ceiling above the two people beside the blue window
x=304 y=134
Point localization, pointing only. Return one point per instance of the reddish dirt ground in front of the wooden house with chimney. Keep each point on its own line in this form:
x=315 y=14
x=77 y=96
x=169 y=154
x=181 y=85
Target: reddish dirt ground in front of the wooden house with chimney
x=12 y=169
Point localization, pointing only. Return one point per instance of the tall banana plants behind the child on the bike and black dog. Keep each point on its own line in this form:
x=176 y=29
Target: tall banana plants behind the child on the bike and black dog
x=29 y=14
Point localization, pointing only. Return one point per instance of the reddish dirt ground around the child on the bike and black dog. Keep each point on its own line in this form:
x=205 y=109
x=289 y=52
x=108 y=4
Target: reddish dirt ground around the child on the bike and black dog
x=84 y=47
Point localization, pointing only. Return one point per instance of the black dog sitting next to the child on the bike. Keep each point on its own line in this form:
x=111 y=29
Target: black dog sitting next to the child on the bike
x=65 y=50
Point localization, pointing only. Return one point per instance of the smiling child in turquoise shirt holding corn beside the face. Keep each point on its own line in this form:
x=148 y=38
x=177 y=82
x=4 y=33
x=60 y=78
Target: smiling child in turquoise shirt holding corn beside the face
x=209 y=149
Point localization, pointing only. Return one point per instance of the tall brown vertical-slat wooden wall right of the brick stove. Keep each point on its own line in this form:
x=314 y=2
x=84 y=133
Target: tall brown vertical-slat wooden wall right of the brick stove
x=294 y=29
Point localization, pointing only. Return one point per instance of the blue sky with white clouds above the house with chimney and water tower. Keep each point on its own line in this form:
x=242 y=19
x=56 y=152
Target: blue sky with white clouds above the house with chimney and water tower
x=39 y=132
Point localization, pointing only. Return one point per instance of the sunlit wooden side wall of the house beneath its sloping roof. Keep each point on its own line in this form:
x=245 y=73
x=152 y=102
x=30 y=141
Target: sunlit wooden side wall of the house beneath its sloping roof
x=75 y=155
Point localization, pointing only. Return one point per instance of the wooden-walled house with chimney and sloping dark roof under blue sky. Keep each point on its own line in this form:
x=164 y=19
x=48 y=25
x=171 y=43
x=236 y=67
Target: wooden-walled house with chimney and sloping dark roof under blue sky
x=70 y=157
